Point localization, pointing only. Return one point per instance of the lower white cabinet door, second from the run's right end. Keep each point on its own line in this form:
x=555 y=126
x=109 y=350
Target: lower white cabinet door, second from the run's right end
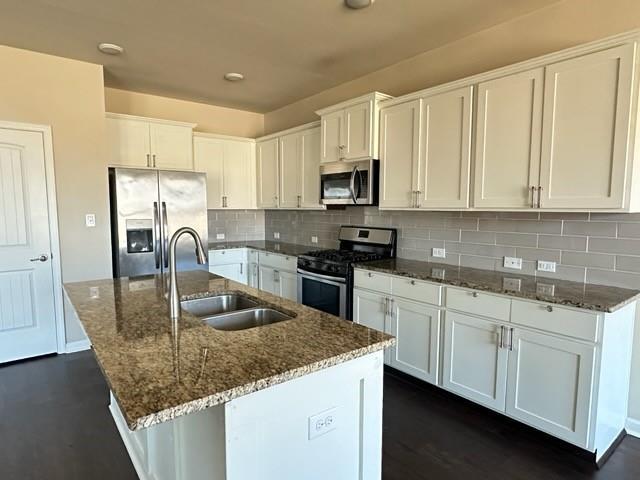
x=474 y=365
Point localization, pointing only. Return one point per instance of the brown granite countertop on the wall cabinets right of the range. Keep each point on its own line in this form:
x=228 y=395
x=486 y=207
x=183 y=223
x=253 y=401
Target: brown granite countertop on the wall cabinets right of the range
x=599 y=298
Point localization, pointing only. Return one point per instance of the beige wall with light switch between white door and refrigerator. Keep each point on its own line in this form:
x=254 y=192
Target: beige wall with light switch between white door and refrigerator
x=68 y=96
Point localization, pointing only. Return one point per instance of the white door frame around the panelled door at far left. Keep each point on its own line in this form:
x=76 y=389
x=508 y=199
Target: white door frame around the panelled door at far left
x=52 y=208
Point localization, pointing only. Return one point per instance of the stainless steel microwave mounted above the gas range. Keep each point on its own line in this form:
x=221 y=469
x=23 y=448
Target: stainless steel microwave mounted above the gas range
x=349 y=183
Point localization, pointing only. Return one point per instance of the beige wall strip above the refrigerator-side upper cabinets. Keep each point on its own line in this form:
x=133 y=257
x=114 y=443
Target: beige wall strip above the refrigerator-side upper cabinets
x=210 y=118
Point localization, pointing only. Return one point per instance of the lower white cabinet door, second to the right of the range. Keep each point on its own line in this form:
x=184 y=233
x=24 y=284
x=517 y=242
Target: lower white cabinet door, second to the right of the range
x=417 y=330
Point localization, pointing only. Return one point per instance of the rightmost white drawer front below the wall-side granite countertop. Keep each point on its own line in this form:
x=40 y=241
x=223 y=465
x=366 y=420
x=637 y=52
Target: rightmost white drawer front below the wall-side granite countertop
x=551 y=318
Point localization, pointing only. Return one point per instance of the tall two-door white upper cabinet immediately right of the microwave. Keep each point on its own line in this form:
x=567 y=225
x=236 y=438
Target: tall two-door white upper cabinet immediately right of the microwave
x=425 y=152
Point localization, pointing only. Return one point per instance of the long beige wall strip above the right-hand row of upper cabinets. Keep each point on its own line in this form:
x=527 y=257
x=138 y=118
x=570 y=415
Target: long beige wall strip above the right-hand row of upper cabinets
x=558 y=26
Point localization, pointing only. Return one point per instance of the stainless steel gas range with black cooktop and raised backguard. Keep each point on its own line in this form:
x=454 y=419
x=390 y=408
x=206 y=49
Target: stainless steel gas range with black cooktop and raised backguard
x=325 y=277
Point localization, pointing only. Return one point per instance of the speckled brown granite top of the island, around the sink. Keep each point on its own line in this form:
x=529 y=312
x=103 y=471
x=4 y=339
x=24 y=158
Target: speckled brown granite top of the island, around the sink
x=156 y=375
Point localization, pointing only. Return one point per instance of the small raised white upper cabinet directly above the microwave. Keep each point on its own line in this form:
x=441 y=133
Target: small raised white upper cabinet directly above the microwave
x=349 y=130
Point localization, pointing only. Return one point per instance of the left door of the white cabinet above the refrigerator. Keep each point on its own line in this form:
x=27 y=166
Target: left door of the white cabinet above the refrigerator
x=128 y=142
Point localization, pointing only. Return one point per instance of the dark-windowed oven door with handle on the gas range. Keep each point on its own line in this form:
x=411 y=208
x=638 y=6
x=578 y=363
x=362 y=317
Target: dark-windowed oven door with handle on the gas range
x=323 y=292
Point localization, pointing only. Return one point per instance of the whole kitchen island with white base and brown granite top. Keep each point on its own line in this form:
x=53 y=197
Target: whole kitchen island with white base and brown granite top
x=300 y=398
